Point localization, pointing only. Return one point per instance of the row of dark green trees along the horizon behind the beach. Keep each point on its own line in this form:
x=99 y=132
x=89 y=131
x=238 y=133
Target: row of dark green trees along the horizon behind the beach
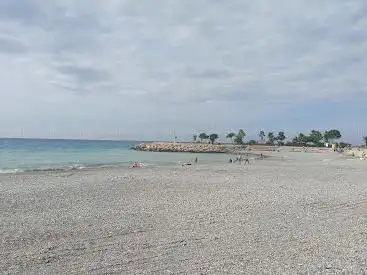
x=314 y=138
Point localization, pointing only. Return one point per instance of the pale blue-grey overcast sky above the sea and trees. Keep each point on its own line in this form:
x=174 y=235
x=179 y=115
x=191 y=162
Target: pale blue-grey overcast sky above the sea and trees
x=147 y=70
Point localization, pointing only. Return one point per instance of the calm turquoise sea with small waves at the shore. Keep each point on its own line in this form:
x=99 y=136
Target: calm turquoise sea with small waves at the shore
x=29 y=155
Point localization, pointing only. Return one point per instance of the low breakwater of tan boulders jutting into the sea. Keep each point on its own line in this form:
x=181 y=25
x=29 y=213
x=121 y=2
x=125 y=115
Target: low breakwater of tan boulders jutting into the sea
x=182 y=147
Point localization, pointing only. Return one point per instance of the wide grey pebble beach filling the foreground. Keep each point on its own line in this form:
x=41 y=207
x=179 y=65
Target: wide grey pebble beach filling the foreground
x=302 y=213
